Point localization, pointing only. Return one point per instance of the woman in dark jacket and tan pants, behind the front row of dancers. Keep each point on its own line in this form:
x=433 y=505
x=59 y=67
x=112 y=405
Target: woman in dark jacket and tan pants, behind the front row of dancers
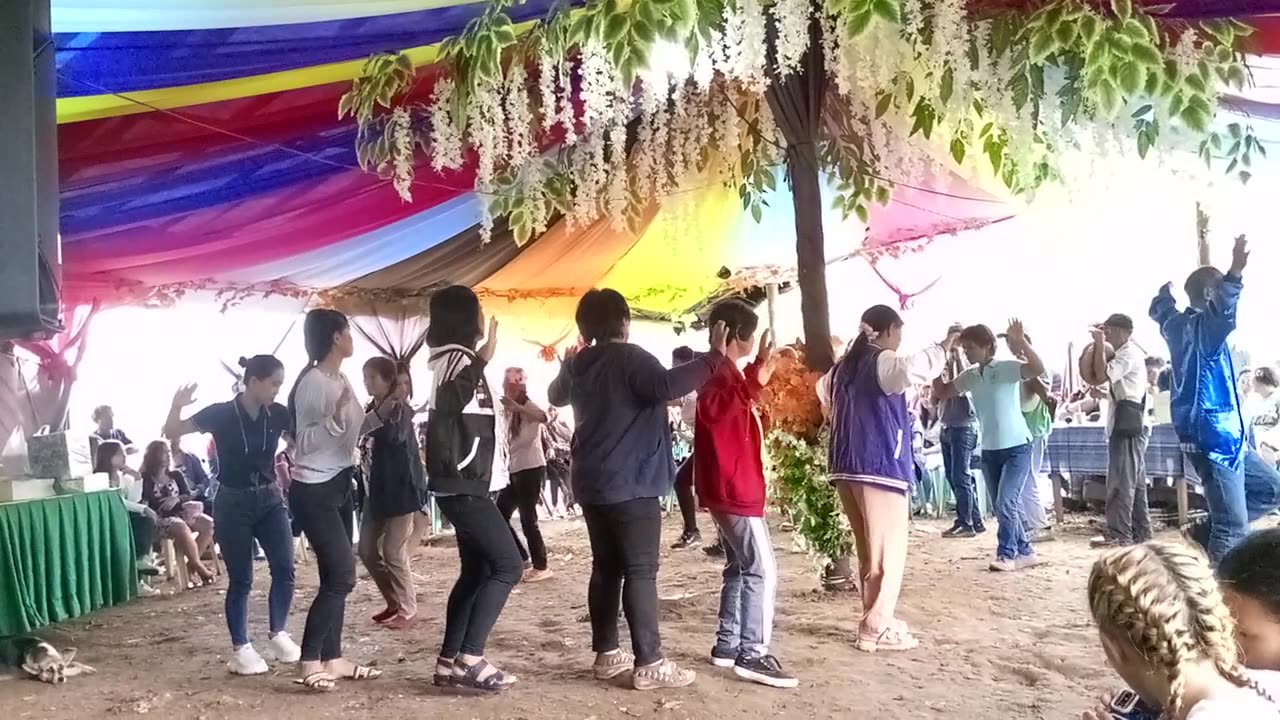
x=395 y=494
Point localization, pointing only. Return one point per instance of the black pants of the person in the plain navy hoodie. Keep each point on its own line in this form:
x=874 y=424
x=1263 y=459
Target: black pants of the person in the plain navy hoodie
x=625 y=539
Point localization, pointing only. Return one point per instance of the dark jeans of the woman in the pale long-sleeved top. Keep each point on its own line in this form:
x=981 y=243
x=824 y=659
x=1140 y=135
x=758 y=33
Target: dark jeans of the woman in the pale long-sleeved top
x=324 y=512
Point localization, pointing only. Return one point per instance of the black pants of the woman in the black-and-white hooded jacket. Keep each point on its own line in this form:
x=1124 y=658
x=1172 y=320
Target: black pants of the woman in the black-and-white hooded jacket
x=491 y=568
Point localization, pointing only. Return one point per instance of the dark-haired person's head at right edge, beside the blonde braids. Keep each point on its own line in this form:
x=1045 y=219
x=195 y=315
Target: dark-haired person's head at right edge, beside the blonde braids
x=1250 y=576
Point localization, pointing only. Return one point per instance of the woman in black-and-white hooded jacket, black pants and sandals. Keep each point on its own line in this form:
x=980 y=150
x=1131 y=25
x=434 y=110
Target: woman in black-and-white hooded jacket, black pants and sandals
x=461 y=439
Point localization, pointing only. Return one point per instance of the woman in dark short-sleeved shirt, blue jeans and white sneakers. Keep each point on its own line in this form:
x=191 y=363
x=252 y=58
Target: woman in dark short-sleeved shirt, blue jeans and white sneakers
x=249 y=504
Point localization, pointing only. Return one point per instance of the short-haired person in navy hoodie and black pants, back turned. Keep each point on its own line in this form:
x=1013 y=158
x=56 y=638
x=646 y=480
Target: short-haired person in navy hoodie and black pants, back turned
x=621 y=468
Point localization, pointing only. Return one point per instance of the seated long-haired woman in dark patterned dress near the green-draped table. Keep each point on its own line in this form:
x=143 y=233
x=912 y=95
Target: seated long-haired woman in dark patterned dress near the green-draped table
x=168 y=495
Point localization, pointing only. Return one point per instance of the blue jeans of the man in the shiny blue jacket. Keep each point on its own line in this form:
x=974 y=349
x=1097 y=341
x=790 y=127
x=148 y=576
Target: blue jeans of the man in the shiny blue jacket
x=1236 y=499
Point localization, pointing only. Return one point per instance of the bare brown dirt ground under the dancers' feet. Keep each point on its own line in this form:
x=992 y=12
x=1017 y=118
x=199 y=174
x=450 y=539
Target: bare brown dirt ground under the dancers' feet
x=993 y=646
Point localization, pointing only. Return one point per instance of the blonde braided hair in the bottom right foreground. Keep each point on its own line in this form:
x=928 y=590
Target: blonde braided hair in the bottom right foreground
x=1164 y=601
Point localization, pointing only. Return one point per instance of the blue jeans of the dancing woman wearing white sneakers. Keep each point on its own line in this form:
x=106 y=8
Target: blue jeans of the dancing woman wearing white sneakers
x=240 y=517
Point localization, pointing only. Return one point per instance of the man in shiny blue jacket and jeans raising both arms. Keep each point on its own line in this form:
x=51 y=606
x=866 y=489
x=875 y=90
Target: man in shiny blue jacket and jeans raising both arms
x=1206 y=405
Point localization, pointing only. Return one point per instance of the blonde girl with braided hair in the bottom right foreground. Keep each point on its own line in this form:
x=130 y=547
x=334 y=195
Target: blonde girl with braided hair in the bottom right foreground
x=1171 y=636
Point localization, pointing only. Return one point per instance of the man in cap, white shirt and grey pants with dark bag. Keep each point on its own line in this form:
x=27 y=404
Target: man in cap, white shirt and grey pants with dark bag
x=1128 y=431
